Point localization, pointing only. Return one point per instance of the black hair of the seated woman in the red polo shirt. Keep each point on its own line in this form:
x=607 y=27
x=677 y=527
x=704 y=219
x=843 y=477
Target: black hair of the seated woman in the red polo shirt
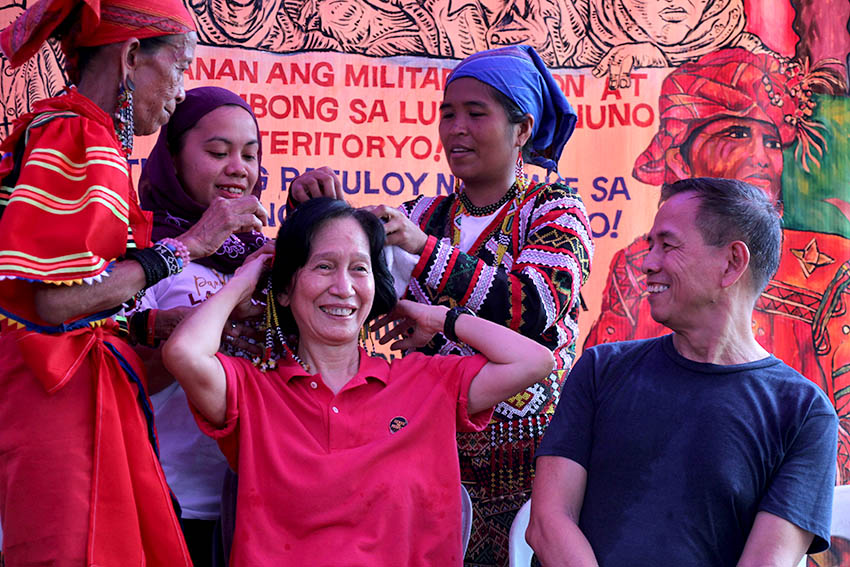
x=293 y=245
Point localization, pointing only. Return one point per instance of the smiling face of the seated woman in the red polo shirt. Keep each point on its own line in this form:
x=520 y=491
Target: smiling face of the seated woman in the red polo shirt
x=331 y=295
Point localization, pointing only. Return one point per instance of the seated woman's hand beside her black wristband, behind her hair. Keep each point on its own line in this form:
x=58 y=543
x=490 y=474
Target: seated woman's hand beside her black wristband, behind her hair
x=415 y=324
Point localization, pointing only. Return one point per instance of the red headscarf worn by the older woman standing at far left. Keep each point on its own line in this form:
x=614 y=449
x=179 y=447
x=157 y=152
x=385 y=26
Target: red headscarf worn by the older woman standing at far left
x=99 y=23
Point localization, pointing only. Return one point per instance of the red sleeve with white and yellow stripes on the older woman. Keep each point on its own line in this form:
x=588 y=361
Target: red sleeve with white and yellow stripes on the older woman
x=71 y=210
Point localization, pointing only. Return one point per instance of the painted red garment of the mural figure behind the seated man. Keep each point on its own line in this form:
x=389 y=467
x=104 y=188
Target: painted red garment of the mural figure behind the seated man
x=802 y=317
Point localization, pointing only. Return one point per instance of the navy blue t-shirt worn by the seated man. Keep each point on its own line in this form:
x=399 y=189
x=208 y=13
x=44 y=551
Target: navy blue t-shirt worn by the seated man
x=681 y=455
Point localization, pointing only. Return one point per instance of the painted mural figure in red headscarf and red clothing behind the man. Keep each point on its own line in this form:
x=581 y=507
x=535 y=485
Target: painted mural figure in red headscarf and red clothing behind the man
x=731 y=114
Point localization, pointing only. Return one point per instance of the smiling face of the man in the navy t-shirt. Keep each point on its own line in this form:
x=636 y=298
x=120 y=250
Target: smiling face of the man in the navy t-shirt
x=683 y=273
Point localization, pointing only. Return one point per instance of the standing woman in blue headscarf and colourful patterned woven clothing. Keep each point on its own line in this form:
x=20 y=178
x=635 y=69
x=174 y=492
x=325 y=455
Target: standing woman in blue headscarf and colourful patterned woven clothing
x=505 y=248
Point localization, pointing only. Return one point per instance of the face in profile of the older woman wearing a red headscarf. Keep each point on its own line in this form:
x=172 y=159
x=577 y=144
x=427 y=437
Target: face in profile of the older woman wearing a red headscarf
x=158 y=76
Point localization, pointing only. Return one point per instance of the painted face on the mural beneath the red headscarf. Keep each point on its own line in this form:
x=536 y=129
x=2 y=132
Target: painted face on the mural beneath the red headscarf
x=739 y=148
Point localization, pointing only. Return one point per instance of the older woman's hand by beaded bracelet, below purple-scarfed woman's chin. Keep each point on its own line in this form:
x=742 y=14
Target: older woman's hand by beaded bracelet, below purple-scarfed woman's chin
x=221 y=219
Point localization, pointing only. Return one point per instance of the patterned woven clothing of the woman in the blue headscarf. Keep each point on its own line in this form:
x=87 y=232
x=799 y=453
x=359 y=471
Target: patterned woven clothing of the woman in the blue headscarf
x=534 y=290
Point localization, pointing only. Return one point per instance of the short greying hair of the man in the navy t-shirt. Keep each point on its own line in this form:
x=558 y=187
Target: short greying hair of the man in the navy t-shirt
x=731 y=210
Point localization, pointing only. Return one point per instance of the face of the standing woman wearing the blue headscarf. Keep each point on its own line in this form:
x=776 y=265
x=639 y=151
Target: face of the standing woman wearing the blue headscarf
x=481 y=145
